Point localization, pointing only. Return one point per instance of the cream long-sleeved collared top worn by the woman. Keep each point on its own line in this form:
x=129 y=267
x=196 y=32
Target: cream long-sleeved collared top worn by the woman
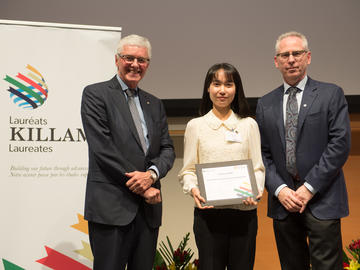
x=205 y=142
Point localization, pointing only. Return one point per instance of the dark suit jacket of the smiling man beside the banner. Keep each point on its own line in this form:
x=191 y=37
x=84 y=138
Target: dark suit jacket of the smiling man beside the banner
x=115 y=148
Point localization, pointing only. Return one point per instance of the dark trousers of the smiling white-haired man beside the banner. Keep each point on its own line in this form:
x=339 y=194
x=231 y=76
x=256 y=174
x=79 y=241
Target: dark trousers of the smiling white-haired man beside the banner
x=133 y=245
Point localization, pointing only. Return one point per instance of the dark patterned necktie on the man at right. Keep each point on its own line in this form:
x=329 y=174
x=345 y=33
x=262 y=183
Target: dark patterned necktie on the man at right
x=290 y=130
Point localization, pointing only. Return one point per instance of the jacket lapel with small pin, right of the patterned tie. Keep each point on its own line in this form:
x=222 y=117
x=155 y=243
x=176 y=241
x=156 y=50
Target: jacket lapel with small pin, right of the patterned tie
x=308 y=98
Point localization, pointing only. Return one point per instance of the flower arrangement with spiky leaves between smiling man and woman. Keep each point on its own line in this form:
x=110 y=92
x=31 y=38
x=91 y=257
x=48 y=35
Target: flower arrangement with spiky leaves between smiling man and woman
x=179 y=259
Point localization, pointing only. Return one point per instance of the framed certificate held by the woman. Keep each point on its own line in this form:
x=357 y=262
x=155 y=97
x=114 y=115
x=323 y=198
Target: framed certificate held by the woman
x=225 y=183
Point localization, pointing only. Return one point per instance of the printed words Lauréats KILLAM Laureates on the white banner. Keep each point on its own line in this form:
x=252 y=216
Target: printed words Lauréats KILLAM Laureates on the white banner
x=33 y=135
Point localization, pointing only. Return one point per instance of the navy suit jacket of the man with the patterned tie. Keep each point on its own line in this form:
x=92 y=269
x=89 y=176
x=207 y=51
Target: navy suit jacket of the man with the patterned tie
x=323 y=145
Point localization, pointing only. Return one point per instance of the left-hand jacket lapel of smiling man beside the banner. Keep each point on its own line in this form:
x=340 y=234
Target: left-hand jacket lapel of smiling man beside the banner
x=120 y=100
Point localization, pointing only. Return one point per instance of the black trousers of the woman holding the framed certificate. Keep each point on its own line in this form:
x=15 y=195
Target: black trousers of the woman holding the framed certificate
x=225 y=238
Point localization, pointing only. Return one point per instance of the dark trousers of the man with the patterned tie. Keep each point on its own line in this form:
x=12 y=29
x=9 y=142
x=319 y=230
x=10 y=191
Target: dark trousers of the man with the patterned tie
x=302 y=239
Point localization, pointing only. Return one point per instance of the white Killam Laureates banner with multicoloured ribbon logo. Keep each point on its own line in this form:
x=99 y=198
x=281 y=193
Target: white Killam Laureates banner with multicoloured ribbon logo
x=44 y=68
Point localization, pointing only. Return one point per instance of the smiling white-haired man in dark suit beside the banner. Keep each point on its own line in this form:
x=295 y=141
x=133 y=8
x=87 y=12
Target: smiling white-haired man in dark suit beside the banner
x=129 y=151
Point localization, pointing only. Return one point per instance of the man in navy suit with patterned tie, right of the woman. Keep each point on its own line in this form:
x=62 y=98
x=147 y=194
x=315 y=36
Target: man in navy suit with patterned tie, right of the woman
x=305 y=136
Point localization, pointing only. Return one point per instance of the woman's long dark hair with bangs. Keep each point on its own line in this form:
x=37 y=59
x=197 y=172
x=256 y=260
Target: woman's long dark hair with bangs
x=239 y=105
